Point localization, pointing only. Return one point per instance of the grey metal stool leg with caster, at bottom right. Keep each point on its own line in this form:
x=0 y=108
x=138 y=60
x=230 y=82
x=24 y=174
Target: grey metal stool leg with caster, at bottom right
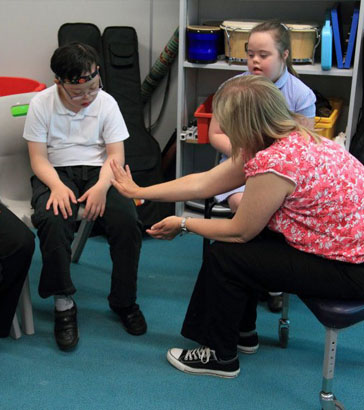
x=327 y=398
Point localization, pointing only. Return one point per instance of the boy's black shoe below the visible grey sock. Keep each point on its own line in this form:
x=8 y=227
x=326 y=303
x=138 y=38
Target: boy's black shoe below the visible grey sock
x=65 y=328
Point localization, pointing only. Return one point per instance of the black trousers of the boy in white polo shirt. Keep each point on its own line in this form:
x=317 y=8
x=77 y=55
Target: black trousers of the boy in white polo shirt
x=120 y=224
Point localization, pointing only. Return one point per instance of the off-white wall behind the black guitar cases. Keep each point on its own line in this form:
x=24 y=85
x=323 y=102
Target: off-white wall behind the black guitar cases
x=28 y=37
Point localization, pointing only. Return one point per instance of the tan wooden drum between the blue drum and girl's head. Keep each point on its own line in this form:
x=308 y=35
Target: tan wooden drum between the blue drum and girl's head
x=236 y=35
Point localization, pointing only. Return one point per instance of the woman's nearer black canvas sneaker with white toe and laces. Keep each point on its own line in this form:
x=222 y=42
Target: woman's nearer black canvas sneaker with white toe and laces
x=202 y=361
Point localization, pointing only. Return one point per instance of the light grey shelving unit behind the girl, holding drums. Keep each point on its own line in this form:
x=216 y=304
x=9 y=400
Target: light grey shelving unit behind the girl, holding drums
x=197 y=81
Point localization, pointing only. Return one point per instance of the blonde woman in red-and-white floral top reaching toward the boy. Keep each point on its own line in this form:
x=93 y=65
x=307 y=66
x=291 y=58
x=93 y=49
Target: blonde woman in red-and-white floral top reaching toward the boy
x=298 y=227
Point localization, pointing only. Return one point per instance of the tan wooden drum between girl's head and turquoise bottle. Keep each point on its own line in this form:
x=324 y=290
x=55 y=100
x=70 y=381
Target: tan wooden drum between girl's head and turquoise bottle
x=304 y=40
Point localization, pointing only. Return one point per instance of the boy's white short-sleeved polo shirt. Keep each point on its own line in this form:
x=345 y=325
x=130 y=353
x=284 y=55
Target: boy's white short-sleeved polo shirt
x=74 y=138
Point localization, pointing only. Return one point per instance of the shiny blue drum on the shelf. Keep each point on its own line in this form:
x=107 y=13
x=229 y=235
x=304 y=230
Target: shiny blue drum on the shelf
x=202 y=44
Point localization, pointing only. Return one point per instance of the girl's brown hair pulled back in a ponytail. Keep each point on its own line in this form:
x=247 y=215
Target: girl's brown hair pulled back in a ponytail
x=282 y=39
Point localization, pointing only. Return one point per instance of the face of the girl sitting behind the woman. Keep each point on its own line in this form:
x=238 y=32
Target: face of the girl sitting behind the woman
x=263 y=56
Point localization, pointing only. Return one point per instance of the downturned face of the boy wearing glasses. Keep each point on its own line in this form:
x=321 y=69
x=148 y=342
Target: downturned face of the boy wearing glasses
x=78 y=96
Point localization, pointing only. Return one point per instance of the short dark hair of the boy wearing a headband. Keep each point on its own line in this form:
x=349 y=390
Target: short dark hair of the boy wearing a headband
x=72 y=60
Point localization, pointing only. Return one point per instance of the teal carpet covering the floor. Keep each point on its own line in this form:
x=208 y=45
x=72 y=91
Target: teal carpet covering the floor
x=113 y=370
